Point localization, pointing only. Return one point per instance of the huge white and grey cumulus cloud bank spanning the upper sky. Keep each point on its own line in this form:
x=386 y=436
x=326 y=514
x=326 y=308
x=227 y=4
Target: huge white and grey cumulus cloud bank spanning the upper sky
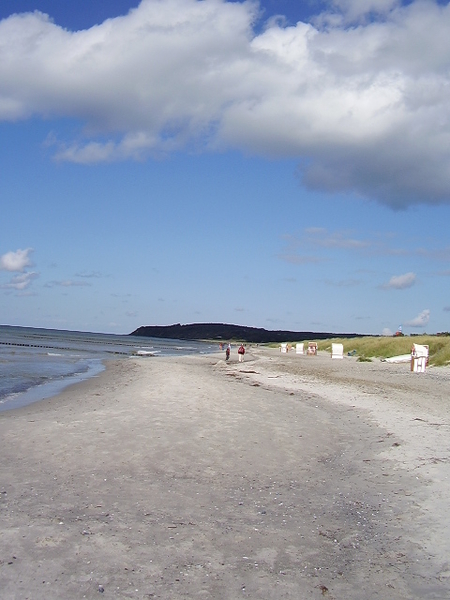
x=360 y=95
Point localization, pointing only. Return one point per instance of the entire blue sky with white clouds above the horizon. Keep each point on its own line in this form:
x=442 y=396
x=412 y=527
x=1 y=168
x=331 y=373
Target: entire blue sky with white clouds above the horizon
x=281 y=165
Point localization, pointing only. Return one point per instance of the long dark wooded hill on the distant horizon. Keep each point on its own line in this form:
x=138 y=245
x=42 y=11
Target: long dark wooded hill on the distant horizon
x=224 y=332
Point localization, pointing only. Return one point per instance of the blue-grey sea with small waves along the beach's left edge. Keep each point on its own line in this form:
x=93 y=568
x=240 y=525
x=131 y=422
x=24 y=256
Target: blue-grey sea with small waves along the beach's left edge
x=39 y=363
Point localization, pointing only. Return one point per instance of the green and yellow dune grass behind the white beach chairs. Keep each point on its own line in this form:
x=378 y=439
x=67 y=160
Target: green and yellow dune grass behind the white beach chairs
x=367 y=348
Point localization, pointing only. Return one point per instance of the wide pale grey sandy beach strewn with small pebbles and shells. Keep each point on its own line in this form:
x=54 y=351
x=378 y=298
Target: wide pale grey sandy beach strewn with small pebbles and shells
x=285 y=477
